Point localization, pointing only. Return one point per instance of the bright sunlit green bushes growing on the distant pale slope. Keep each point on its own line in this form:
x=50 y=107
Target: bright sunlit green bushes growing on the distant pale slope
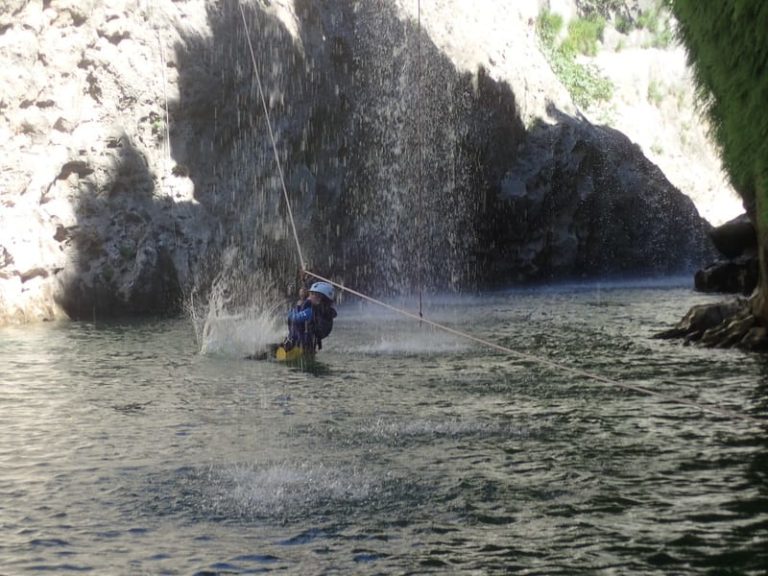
x=585 y=83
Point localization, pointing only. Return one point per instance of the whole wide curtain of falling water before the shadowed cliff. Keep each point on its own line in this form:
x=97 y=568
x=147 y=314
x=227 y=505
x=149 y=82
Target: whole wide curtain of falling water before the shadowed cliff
x=382 y=151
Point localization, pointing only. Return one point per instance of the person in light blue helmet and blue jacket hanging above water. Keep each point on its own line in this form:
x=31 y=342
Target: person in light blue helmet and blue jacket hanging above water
x=311 y=319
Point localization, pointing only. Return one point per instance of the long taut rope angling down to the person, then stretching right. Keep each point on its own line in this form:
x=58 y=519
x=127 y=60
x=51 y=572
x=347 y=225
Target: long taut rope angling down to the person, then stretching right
x=521 y=355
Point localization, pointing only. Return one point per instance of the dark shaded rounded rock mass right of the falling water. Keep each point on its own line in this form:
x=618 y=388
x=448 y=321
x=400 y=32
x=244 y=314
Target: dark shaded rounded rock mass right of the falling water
x=582 y=200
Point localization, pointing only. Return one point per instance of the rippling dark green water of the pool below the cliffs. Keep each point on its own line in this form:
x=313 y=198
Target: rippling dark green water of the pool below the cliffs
x=126 y=451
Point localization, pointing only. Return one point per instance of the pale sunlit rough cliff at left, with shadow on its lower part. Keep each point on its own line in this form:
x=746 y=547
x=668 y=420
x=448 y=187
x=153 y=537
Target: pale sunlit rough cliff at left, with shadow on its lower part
x=94 y=221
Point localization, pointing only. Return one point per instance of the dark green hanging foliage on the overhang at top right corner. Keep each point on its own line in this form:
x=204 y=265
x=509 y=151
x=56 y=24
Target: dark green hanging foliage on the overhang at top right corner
x=727 y=44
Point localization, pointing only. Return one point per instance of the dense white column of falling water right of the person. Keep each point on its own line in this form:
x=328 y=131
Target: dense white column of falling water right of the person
x=412 y=188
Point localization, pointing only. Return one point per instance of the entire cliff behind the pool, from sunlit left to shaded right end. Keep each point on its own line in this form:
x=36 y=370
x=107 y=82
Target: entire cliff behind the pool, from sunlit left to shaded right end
x=401 y=169
